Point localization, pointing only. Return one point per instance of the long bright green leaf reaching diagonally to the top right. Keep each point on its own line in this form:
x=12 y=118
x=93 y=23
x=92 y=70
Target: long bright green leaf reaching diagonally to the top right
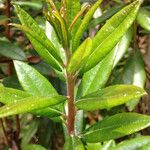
x=116 y=26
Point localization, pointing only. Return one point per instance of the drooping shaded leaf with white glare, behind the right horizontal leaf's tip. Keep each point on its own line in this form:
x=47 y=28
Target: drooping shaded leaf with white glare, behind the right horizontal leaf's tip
x=133 y=73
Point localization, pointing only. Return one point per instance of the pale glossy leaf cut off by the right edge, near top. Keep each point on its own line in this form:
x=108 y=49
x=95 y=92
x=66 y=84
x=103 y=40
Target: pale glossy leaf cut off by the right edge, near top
x=143 y=18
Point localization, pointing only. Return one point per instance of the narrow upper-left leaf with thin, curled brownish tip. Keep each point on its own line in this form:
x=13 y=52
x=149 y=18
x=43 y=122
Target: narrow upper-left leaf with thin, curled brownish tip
x=39 y=47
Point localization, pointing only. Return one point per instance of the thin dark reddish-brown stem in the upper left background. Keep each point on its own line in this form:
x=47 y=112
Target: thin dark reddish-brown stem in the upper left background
x=7 y=33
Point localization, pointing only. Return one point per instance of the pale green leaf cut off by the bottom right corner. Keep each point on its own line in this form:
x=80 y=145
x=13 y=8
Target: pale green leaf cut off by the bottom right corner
x=133 y=144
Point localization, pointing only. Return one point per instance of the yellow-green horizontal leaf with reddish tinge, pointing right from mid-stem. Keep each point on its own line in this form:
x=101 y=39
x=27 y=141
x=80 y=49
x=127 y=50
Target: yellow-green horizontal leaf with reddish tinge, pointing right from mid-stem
x=109 y=97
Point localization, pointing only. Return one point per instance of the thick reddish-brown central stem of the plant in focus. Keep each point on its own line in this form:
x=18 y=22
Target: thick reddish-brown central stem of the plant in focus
x=71 y=106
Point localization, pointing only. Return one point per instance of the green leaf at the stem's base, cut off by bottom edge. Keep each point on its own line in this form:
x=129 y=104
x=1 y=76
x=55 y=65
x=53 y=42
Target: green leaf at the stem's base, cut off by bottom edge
x=73 y=143
